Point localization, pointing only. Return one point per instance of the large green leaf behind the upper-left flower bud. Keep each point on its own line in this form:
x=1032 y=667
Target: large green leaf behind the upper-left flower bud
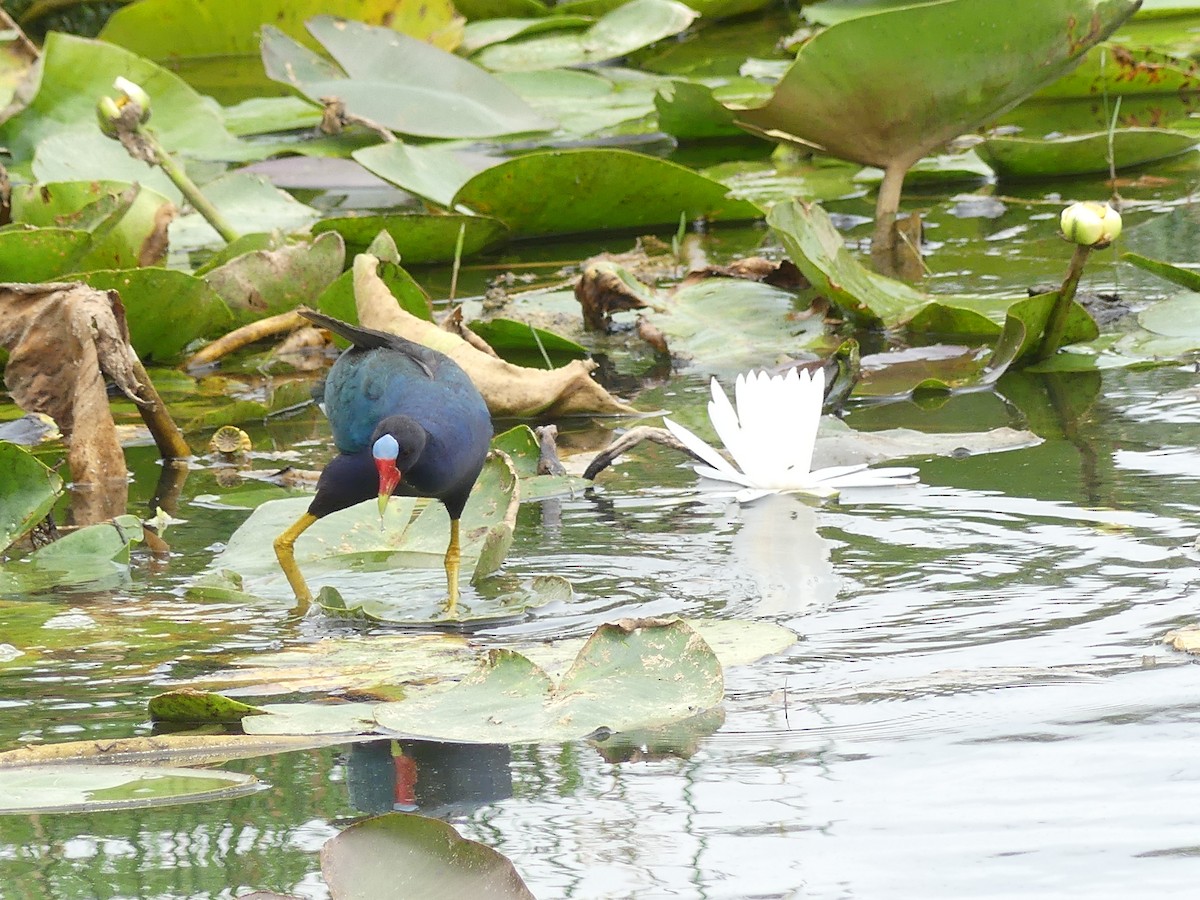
x=76 y=73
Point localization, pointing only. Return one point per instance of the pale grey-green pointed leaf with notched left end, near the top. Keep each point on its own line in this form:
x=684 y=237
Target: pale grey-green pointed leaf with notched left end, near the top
x=399 y=82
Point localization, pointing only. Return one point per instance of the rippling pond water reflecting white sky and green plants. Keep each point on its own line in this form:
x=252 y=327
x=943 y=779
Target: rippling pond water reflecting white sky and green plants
x=980 y=705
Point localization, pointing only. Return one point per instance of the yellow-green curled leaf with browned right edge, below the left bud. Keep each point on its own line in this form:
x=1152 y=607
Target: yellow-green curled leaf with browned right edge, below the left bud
x=128 y=223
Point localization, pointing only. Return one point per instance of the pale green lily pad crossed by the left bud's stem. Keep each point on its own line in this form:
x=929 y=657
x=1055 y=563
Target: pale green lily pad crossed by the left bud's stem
x=249 y=203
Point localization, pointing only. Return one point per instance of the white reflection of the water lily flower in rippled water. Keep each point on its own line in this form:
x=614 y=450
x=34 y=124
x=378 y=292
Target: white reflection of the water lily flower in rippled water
x=779 y=548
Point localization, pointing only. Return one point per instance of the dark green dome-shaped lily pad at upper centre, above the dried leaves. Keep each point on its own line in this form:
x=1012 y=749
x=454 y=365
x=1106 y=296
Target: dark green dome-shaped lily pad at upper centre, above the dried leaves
x=592 y=190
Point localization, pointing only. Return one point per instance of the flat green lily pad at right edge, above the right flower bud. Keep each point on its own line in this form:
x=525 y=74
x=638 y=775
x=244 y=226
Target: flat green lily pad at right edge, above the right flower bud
x=1016 y=158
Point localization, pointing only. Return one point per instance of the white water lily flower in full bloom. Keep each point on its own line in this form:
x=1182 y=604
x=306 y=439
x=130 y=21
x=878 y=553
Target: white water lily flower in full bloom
x=771 y=436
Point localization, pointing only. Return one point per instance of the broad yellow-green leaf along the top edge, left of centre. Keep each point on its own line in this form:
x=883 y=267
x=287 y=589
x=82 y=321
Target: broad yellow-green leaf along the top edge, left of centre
x=172 y=31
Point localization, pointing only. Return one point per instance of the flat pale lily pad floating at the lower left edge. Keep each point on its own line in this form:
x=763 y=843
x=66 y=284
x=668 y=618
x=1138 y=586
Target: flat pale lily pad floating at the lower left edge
x=81 y=788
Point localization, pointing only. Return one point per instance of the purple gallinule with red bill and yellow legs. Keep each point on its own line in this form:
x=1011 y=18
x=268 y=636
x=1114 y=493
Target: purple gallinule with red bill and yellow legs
x=407 y=421
